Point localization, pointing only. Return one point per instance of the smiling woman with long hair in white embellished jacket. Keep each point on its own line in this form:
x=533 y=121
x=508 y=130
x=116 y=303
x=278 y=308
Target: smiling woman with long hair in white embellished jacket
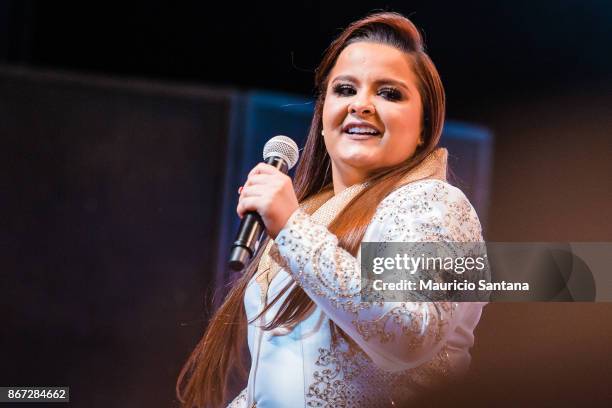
x=370 y=171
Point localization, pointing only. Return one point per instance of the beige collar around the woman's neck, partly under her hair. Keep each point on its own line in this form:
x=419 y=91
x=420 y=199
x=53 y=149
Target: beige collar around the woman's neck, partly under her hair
x=327 y=206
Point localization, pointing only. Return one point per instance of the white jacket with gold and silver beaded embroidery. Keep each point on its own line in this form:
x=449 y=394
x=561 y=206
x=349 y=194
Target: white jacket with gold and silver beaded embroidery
x=404 y=346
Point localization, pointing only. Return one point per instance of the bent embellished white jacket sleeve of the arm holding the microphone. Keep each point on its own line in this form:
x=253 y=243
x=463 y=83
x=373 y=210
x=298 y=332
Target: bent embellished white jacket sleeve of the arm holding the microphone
x=396 y=335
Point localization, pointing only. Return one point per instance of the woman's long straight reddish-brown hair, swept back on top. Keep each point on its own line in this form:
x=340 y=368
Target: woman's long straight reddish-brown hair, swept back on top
x=203 y=379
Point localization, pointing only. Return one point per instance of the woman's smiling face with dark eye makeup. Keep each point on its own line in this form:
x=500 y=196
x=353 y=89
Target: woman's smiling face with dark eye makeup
x=372 y=111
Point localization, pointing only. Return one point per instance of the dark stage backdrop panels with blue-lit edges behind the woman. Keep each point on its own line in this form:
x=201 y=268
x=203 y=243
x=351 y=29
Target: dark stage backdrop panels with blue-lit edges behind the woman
x=118 y=200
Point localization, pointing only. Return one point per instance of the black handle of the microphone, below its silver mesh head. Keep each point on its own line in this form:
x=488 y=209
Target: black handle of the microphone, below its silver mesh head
x=251 y=229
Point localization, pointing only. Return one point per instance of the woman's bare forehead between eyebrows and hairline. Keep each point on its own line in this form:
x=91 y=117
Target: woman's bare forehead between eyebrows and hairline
x=370 y=61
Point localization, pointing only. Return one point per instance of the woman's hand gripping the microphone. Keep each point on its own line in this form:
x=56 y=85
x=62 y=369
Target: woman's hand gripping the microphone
x=270 y=193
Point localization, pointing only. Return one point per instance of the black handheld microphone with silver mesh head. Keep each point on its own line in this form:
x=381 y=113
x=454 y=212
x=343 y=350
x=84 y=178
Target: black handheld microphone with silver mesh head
x=282 y=153
